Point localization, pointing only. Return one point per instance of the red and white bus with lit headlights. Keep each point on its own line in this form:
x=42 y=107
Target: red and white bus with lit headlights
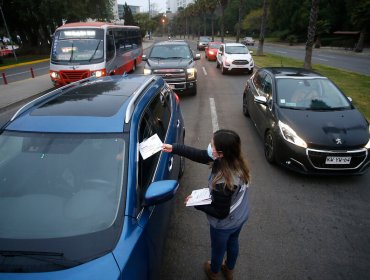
x=85 y=49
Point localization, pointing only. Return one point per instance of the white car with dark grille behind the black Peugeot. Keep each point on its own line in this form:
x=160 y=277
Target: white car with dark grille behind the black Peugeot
x=234 y=57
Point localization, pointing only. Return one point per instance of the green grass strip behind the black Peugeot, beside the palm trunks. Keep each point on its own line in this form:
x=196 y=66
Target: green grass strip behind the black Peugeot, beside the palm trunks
x=353 y=85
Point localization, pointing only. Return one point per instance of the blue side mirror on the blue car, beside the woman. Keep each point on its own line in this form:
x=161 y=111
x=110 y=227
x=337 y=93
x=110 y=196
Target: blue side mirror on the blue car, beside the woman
x=160 y=192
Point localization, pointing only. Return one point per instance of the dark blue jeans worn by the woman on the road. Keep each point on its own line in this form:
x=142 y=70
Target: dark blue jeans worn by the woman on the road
x=224 y=240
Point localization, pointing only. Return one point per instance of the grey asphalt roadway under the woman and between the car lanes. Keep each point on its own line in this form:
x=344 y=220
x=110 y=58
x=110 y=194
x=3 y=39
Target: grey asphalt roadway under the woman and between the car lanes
x=300 y=227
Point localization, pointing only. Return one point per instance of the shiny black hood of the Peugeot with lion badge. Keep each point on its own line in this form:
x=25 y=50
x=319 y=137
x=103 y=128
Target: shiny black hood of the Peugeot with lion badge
x=341 y=129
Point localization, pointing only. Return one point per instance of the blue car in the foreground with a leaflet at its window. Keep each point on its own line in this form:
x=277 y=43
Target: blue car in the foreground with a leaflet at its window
x=77 y=199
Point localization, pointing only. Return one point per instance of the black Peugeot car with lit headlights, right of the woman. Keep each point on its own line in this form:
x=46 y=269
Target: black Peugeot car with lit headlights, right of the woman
x=306 y=122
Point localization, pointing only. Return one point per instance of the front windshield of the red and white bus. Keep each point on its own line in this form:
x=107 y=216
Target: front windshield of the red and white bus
x=78 y=46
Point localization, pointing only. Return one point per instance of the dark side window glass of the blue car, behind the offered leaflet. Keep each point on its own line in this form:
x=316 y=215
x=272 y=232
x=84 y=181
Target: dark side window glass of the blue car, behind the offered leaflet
x=155 y=120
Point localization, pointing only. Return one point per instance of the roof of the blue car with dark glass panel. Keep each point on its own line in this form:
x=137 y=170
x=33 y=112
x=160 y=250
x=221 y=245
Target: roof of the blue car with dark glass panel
x=97 y=106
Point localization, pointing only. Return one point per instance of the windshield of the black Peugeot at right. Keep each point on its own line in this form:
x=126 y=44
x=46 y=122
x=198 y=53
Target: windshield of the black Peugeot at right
x=314 y=94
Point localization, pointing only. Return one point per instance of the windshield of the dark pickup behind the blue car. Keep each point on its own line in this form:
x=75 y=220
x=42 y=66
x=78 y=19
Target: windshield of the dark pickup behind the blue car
x=170 y=52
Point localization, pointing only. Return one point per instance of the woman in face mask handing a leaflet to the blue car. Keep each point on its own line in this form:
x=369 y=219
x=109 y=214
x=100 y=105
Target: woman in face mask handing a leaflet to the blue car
x=228 y=183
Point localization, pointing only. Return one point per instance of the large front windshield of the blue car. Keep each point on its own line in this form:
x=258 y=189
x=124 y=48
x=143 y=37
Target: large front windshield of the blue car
x=58 y=185
